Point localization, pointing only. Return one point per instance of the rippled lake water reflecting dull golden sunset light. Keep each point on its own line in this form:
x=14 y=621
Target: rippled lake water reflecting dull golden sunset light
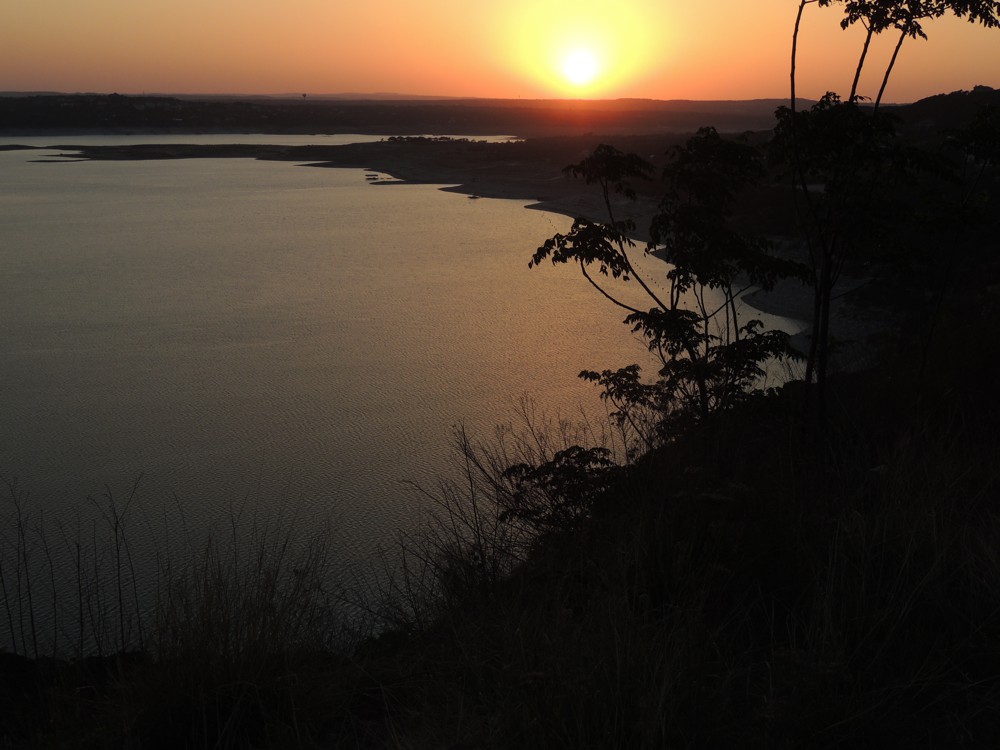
x=265 y=334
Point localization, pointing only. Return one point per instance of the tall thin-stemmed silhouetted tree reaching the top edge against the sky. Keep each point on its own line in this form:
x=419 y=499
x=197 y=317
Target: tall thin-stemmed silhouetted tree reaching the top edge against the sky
x=843 y=157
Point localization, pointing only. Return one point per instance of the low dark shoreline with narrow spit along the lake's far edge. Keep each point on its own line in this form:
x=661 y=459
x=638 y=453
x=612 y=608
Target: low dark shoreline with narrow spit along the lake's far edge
x=480 y=169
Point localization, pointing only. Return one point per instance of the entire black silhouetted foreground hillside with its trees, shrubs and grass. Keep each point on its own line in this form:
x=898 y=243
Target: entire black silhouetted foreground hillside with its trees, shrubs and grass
x=813 y=566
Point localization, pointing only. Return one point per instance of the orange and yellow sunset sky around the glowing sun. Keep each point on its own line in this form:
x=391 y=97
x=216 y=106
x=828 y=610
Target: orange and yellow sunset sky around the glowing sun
x=657 y=49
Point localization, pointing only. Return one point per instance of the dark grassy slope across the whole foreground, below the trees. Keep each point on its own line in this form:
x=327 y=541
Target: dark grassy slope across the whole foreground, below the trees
x=756 y=585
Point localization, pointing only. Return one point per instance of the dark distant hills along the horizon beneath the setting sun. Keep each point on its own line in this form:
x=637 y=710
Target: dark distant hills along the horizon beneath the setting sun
x=87 y=113
